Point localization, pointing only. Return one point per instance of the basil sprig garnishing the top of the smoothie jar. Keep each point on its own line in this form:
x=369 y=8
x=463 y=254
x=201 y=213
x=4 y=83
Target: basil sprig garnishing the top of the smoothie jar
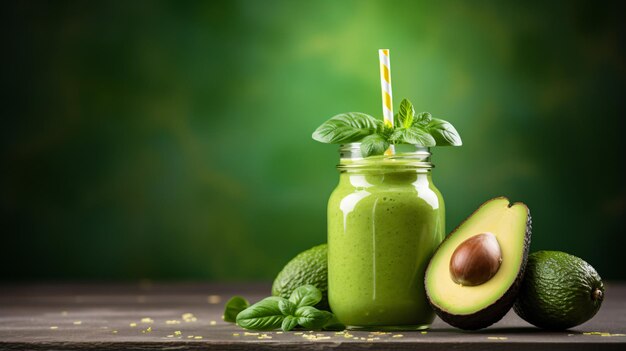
x=420 y=129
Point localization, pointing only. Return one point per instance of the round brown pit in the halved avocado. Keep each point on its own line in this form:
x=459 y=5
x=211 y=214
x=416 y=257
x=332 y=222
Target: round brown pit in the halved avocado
x=476 y=260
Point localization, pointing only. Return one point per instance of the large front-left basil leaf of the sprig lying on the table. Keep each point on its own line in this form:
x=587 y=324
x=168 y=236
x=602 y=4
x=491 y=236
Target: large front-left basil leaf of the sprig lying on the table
x=263 y=315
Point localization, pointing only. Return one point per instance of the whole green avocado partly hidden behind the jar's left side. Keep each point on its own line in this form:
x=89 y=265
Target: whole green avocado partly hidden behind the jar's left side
x=308 y=267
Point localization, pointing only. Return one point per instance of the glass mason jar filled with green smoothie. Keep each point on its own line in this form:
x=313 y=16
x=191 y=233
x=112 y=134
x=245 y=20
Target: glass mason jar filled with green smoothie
x=385 y=220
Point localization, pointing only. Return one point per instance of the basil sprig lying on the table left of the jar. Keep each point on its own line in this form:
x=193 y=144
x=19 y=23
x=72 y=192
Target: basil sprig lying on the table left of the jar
x=277 y=312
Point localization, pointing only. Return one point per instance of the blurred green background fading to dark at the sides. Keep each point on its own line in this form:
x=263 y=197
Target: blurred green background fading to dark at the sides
x=171 y=139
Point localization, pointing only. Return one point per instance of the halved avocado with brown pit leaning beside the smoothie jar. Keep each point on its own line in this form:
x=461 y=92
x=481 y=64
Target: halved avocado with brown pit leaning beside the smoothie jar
x=476 y=306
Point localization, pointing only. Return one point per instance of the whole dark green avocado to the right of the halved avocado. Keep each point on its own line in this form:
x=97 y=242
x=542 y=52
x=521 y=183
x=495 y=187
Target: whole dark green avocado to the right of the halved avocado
x=557 y=291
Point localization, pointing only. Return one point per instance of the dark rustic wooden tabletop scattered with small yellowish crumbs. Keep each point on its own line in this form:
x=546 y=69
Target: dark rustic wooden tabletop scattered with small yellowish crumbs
x=188 y=317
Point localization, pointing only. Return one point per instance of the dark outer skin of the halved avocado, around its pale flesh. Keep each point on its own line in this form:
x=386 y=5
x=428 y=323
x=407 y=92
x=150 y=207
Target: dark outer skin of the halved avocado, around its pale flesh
x=493 y=313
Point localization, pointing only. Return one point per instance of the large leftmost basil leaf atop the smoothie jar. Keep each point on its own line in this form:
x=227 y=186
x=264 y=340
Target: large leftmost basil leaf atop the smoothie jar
x=346 y=128
